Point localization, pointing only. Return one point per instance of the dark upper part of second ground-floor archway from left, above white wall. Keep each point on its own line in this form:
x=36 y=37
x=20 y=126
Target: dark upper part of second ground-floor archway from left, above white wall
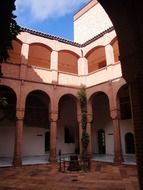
x=37 y=109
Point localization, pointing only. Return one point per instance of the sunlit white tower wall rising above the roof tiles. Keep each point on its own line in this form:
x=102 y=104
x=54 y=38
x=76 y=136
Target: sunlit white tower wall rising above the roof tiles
x=91 y=23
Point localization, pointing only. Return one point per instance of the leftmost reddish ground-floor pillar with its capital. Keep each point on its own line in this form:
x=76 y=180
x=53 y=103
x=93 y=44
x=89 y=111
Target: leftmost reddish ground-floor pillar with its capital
x=17 y=159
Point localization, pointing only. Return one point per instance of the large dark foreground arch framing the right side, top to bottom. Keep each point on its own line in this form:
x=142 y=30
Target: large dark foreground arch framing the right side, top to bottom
x=127 y=20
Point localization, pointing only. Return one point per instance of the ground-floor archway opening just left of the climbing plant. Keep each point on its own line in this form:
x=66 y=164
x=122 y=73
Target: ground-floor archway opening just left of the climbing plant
x=68 y=131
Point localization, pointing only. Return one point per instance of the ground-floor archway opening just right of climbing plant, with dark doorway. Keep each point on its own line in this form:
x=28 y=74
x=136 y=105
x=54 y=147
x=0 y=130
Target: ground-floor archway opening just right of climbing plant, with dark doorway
x=102 y=132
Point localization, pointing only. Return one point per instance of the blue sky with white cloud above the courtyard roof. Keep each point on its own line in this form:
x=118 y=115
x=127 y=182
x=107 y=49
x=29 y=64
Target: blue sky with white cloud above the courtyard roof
x=53 y=17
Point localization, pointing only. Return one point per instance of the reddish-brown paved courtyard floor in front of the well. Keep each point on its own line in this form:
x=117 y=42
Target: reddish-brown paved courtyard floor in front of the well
x=102 y=176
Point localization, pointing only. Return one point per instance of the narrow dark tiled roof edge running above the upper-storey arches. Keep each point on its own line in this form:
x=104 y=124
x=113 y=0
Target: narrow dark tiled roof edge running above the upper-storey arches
x=44 y=35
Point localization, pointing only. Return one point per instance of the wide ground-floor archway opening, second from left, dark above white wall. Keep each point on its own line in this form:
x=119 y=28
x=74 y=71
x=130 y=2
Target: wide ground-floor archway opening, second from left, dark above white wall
x=36 y=124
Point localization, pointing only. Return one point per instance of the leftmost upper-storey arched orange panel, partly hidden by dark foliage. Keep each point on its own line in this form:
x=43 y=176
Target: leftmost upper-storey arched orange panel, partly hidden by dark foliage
x=15 y=53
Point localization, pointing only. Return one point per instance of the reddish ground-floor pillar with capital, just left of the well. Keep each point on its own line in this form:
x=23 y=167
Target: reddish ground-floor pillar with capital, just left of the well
x=53 y=138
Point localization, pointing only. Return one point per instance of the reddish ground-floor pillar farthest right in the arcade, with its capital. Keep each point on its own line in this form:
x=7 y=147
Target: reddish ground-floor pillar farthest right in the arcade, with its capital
x=118 y=158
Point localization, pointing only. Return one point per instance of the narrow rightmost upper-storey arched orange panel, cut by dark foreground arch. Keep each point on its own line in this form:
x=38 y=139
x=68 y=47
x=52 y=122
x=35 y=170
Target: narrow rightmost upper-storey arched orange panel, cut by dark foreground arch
x=114 y=44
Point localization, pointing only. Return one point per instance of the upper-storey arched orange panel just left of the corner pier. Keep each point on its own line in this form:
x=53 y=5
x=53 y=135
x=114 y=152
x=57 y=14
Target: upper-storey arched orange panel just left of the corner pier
x=68 y=61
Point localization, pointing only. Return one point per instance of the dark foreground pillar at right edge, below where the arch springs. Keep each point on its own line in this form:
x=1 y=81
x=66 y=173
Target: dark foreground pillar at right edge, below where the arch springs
x=136 y=92
